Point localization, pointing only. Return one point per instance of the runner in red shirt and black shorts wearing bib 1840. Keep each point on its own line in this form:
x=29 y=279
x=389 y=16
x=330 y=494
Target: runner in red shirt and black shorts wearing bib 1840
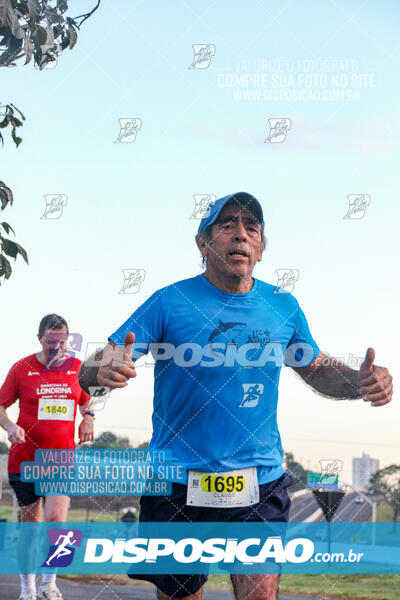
x=47 y=387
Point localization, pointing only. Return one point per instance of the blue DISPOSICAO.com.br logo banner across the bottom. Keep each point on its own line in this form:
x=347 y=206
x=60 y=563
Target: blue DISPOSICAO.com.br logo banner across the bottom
x=100 y=548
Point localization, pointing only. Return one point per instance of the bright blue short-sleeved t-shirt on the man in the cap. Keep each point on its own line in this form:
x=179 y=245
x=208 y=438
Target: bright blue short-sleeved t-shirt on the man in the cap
x=218 y=358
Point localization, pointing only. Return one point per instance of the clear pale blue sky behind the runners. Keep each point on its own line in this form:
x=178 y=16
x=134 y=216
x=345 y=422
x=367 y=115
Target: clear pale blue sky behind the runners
x=333 y=66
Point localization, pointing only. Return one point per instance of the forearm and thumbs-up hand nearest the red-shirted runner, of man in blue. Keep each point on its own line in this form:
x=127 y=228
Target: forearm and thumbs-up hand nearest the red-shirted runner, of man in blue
x=109 y=368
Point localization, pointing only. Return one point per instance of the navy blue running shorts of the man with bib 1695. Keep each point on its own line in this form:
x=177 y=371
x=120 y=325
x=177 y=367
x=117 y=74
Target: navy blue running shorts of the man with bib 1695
x=273 y=506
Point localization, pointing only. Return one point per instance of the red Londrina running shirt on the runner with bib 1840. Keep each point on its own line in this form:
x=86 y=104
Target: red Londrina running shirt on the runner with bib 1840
x=48 y=399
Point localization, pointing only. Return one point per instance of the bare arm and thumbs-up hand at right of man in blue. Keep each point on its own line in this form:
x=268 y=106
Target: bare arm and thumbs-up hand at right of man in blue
x=333 y=379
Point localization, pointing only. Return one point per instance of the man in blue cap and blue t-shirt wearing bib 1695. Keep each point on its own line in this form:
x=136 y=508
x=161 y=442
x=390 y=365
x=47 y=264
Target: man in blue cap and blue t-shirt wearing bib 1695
x=219 y=340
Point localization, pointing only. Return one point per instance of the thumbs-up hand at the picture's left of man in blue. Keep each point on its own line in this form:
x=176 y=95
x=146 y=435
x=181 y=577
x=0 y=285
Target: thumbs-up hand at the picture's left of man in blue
x=117 y=366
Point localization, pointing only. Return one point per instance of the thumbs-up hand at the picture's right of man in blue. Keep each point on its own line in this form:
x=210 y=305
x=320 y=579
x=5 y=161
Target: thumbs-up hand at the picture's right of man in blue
x=375 y=382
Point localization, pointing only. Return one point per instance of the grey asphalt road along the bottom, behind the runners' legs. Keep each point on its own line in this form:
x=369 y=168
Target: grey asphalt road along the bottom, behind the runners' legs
x=9 y=590
